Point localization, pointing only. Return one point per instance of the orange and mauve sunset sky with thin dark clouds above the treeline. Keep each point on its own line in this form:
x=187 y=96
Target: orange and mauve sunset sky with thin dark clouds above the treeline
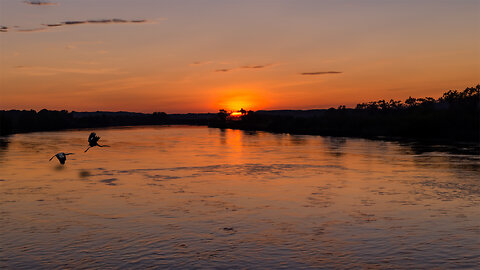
x=180 y=56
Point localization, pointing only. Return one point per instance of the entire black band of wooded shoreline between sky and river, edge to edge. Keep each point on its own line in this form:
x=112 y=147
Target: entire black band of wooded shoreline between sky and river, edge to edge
x=454 y=117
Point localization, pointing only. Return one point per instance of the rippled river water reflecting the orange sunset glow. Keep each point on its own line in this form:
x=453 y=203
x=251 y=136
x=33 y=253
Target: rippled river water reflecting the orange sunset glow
x=194 y=197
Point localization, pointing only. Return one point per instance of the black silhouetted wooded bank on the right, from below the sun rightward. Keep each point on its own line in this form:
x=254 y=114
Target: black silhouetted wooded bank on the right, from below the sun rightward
x=454 y=116
